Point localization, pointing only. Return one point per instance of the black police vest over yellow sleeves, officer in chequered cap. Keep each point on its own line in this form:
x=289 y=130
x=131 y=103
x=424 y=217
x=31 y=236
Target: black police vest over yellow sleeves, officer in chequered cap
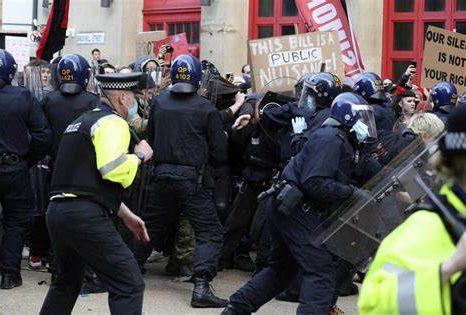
x=75 y=169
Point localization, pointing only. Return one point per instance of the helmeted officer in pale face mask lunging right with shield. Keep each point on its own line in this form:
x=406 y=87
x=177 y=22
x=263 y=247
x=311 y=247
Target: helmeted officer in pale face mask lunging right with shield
x=317 y=180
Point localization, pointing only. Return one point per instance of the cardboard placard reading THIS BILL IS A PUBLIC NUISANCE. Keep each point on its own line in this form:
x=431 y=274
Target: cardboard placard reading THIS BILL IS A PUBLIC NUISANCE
x=292 y=56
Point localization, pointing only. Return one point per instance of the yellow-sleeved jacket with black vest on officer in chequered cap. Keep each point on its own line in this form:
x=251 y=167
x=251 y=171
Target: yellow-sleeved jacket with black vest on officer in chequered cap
x=93 y=160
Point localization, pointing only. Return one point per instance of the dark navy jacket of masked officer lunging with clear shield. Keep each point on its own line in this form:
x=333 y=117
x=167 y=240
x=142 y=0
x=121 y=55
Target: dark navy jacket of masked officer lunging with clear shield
x=324 y=168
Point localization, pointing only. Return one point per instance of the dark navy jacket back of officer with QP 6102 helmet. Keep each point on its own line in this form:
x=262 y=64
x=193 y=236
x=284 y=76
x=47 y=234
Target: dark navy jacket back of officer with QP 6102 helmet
x=186 y=129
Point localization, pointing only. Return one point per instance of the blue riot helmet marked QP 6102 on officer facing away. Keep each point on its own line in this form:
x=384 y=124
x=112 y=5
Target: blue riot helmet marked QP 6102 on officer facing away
x=186 y=74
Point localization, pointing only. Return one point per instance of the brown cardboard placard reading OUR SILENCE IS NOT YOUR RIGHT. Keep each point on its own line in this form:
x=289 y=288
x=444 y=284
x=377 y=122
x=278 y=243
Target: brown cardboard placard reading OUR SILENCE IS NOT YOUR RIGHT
x=444 y=58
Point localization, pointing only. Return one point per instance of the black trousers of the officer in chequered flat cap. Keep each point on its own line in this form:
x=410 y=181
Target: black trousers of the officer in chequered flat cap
x=82 y=233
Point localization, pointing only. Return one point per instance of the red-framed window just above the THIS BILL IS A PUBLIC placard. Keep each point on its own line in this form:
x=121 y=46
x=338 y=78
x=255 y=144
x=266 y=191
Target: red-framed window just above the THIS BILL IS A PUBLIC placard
x=269 y=18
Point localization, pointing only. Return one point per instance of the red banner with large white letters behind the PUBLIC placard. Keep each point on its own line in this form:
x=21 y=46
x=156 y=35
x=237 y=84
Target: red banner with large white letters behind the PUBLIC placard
x=329 y=15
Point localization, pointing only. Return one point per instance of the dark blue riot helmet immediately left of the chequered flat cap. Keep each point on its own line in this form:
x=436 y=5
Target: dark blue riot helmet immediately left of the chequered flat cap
x=73 y=73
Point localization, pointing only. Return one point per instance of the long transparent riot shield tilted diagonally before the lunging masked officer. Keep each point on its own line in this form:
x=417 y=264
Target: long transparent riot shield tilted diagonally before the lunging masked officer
x=354 y=231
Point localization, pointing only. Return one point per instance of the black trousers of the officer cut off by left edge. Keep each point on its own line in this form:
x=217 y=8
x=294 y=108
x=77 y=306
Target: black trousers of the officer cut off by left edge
x=17 y=200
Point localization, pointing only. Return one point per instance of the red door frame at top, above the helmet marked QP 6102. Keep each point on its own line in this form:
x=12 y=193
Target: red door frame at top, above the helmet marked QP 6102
x=180 y=16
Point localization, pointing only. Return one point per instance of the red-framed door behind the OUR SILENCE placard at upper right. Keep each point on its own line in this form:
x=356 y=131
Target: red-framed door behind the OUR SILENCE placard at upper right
x=405 y=24
